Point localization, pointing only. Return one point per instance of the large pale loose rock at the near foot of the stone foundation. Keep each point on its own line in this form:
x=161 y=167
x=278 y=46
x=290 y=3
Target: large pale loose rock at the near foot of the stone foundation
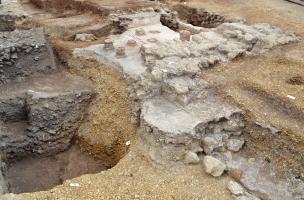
x=213 y=166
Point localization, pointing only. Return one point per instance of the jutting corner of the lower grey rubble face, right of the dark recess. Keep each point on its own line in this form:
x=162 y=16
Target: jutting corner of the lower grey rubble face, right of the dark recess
x=55 y=119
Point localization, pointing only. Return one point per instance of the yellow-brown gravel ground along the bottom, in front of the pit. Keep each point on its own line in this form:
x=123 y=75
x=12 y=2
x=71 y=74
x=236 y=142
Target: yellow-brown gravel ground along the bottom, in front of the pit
x=134 y=177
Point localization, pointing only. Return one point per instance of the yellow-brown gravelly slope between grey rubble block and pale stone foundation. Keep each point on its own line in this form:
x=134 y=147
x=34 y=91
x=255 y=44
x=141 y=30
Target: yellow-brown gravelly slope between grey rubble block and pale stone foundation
x=107 y=127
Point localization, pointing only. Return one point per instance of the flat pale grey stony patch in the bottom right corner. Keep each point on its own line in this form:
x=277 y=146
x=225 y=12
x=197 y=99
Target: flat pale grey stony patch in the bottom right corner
x=262 y=181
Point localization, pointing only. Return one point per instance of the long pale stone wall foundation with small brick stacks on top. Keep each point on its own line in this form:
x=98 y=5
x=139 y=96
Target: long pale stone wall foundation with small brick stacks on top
x=180 y=117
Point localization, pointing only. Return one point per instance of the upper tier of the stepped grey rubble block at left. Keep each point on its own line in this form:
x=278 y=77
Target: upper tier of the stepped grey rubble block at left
x=23 y=54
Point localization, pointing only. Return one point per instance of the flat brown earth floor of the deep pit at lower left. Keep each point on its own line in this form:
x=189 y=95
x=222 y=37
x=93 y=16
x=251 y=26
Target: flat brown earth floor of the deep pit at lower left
x=31 y=174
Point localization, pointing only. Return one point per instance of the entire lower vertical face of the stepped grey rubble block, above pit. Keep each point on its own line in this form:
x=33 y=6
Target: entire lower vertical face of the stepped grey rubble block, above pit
x=50 y=123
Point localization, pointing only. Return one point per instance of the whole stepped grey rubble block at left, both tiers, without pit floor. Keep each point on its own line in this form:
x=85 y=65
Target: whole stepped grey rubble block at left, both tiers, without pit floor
x=41 y=108
